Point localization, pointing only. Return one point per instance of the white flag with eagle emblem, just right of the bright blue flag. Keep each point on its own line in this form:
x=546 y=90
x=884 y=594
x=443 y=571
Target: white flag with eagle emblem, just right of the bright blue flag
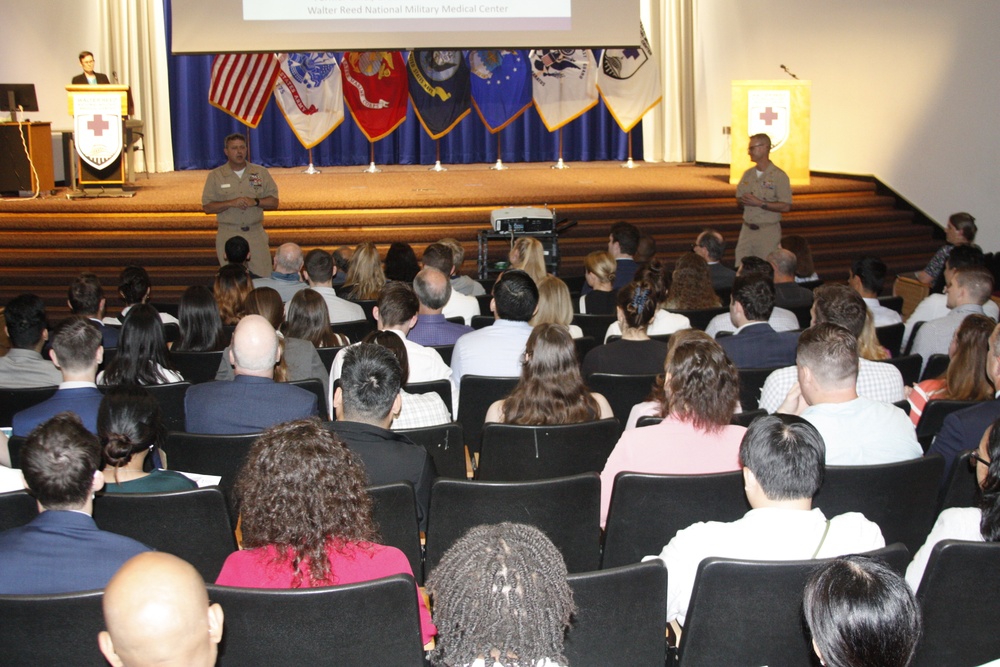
x=564 y=84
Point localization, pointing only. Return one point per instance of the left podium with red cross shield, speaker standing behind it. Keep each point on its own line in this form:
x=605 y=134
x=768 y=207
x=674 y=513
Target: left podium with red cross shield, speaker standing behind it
x=98 y=132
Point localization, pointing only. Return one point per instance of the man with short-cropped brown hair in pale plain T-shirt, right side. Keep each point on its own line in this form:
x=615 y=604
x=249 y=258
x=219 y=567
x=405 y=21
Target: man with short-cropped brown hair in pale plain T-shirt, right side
x=855 y=429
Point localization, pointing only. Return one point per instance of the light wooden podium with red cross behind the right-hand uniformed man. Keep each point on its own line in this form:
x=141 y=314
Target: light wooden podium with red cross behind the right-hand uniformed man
x=781 y=109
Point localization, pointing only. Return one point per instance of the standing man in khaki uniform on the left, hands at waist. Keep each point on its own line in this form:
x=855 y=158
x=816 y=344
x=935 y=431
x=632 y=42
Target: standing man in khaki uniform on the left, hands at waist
x=238 y=193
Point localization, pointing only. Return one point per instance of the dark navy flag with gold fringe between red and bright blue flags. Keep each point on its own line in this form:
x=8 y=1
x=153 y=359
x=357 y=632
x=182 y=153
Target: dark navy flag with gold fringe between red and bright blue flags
x=439 y=89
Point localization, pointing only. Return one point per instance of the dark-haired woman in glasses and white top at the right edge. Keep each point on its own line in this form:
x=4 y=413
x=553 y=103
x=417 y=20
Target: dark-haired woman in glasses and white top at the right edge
x=974 y=524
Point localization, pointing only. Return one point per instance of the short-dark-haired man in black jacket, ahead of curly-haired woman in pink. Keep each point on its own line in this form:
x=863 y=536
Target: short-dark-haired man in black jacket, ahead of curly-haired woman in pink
x=366 y=402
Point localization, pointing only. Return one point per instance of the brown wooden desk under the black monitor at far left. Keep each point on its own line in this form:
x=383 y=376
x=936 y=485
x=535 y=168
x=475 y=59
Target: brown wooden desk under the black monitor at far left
x=15 y=169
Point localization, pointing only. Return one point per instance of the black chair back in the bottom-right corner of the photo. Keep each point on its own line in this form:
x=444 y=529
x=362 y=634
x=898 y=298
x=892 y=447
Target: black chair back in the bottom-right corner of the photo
x=960 y=600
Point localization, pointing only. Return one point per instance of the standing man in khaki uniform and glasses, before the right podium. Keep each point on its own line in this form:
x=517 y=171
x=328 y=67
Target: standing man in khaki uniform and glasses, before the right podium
x=765 y=193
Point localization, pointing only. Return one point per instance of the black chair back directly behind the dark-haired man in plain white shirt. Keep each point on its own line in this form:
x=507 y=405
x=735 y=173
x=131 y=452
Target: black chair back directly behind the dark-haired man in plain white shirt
x=745 y=612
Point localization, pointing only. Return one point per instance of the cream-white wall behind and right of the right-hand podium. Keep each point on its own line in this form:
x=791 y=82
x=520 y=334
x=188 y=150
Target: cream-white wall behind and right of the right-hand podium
x=906 y=90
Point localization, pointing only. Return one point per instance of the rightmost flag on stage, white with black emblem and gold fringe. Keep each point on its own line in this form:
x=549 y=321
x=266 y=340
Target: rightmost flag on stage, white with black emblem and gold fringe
x=629 y=81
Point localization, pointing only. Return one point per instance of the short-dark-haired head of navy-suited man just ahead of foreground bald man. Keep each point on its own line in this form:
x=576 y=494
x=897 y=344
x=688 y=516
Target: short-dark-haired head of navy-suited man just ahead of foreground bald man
x=59 y=459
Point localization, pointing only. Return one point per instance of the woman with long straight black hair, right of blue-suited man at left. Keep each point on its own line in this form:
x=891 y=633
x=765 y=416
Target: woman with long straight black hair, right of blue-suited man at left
x=142 y=351
